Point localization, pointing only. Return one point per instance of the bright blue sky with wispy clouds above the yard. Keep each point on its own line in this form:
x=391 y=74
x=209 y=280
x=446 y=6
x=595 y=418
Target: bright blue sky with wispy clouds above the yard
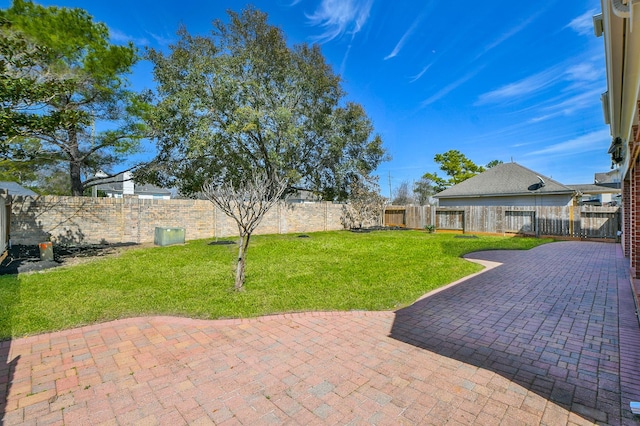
x=498 y=80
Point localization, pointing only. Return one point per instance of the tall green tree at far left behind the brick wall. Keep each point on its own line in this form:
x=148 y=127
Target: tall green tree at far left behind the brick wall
x=60 y=78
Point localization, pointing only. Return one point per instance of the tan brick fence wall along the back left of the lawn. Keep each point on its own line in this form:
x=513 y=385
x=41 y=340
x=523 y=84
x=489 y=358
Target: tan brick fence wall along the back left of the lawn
x=84 y=220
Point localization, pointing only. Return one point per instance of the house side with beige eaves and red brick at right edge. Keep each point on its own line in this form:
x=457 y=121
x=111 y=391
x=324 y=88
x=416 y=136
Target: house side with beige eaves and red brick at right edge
x=619 y=25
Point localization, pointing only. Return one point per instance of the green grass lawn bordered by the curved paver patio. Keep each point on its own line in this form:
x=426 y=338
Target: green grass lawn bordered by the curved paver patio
x=327 y=271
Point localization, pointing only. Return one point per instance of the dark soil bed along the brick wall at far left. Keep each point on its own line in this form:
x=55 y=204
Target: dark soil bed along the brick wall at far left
x=24 y=258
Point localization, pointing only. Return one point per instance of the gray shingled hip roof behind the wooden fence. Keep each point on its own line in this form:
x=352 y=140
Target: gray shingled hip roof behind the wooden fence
x=504 y=180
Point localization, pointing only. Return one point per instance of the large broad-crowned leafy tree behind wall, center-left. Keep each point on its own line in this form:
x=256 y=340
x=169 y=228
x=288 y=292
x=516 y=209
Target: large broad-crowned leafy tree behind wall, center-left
x=240 y=99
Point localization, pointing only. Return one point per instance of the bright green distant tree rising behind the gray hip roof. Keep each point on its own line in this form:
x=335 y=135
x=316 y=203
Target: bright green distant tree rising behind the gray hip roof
x=457 y=167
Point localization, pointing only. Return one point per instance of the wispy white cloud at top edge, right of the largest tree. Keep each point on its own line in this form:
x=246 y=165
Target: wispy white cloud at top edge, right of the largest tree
x=340 y=17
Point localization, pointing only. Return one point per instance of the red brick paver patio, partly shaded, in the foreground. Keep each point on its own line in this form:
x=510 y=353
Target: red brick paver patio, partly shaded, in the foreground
x=547 y=337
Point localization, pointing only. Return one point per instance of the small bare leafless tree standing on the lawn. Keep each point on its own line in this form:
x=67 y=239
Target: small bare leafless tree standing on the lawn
x=246 y=203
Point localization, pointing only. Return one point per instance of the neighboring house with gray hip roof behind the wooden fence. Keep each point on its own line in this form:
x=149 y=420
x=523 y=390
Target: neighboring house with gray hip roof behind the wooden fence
x=507 y=184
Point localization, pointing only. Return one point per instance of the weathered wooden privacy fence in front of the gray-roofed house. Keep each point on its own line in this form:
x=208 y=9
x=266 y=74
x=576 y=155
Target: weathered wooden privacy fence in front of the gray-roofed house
x=574 y=221
